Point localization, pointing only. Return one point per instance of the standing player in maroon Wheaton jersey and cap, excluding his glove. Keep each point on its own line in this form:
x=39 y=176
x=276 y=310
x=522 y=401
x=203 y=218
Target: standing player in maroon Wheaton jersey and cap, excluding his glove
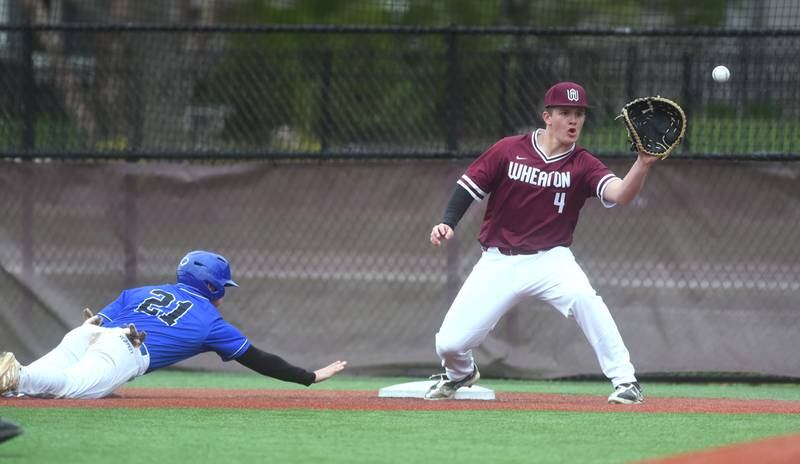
x=535 y=185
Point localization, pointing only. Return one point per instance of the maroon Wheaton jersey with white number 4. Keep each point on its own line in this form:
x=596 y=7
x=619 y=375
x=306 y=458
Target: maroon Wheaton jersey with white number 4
x=535 y=201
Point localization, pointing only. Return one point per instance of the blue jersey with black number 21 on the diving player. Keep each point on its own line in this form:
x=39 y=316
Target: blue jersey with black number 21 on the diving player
x=179 y=322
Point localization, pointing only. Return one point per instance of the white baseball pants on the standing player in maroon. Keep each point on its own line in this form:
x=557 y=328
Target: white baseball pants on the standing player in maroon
x=498 y=282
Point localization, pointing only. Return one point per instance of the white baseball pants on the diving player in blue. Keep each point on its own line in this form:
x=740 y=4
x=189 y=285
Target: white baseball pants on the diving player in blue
x=90 y=362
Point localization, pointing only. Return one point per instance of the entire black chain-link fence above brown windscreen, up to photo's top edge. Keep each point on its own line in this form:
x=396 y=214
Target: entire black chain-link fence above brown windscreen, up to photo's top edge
x=369 y=78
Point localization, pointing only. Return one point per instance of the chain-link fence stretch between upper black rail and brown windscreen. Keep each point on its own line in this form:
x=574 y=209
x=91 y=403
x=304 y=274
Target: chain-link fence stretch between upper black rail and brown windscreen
x=397 y=92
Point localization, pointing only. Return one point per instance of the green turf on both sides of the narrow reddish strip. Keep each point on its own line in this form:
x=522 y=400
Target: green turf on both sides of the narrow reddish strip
x=227 y=436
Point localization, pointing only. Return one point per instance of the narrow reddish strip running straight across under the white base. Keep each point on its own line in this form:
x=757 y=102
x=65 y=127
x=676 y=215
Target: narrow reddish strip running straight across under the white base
x=369 y=400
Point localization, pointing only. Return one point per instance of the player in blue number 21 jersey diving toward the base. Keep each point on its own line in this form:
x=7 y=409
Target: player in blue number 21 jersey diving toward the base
x=146 y=329
